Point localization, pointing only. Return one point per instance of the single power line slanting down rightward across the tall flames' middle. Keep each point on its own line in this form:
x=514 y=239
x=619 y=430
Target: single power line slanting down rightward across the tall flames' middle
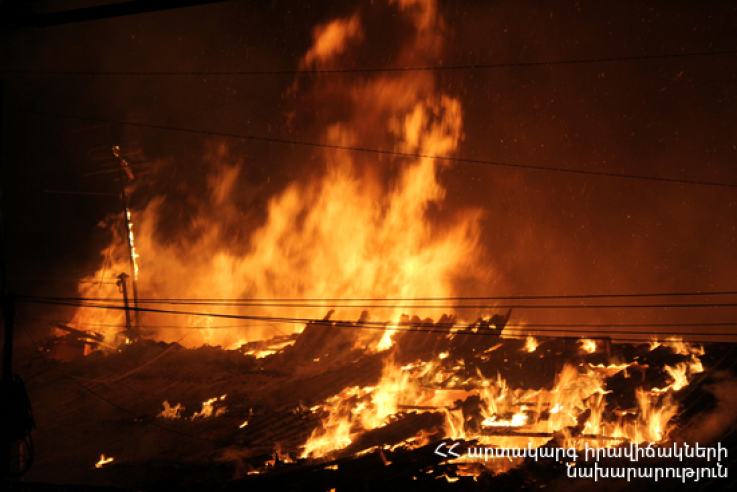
x=372 y=151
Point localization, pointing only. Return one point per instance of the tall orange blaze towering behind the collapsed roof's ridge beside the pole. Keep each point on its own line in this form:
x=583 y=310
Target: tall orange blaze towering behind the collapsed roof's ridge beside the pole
x=359 y=226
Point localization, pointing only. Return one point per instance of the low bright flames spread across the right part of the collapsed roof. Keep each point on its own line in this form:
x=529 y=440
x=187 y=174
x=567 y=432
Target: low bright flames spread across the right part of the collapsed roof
x=577 y=400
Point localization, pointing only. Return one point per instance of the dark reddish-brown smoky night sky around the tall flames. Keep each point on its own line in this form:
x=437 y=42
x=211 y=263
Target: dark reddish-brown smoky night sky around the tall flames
x=544 y=232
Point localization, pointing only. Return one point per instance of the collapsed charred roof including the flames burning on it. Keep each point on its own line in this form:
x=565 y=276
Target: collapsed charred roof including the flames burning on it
x=412 y=405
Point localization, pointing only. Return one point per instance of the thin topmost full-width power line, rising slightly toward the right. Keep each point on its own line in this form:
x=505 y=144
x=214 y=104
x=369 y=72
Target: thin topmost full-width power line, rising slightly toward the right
x=434 y=68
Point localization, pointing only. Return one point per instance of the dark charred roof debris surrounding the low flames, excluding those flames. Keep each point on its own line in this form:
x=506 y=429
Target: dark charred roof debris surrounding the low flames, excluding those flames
x=275 y=394
